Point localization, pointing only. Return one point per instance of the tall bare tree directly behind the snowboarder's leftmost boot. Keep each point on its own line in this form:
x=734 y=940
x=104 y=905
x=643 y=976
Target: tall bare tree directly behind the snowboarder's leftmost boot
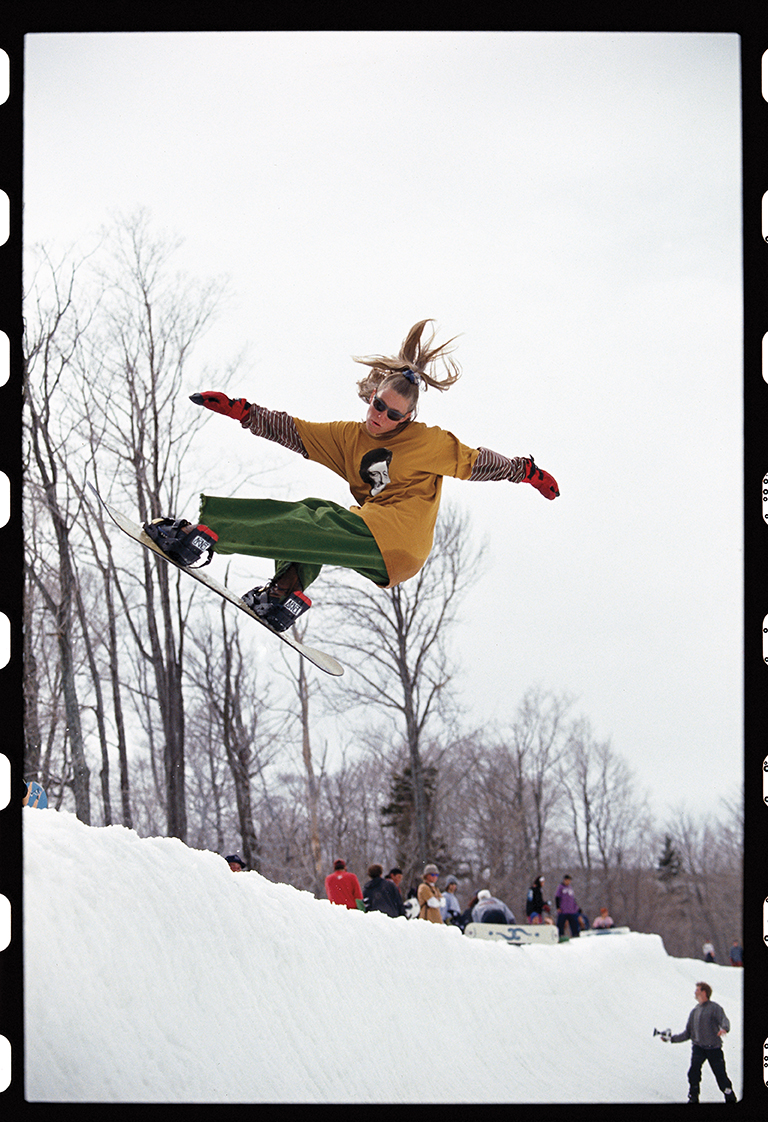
x=152 y=321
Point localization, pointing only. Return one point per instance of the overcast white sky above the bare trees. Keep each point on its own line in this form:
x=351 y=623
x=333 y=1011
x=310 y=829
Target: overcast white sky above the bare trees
x=571 y=205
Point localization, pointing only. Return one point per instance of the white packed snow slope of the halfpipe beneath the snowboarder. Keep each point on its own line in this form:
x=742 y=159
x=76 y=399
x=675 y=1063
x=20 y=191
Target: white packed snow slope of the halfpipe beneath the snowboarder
x=156 y=974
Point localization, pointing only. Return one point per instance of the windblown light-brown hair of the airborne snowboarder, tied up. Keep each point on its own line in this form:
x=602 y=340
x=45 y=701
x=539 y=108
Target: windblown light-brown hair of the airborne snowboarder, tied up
x=417 y=357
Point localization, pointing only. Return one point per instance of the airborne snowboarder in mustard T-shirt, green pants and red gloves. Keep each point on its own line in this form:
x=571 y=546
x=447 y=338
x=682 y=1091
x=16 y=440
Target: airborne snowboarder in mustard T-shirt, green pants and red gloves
x=395 y=467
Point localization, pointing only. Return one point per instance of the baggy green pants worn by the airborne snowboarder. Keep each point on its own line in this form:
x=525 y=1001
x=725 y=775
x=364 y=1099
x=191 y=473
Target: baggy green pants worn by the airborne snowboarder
x=308 y=535
